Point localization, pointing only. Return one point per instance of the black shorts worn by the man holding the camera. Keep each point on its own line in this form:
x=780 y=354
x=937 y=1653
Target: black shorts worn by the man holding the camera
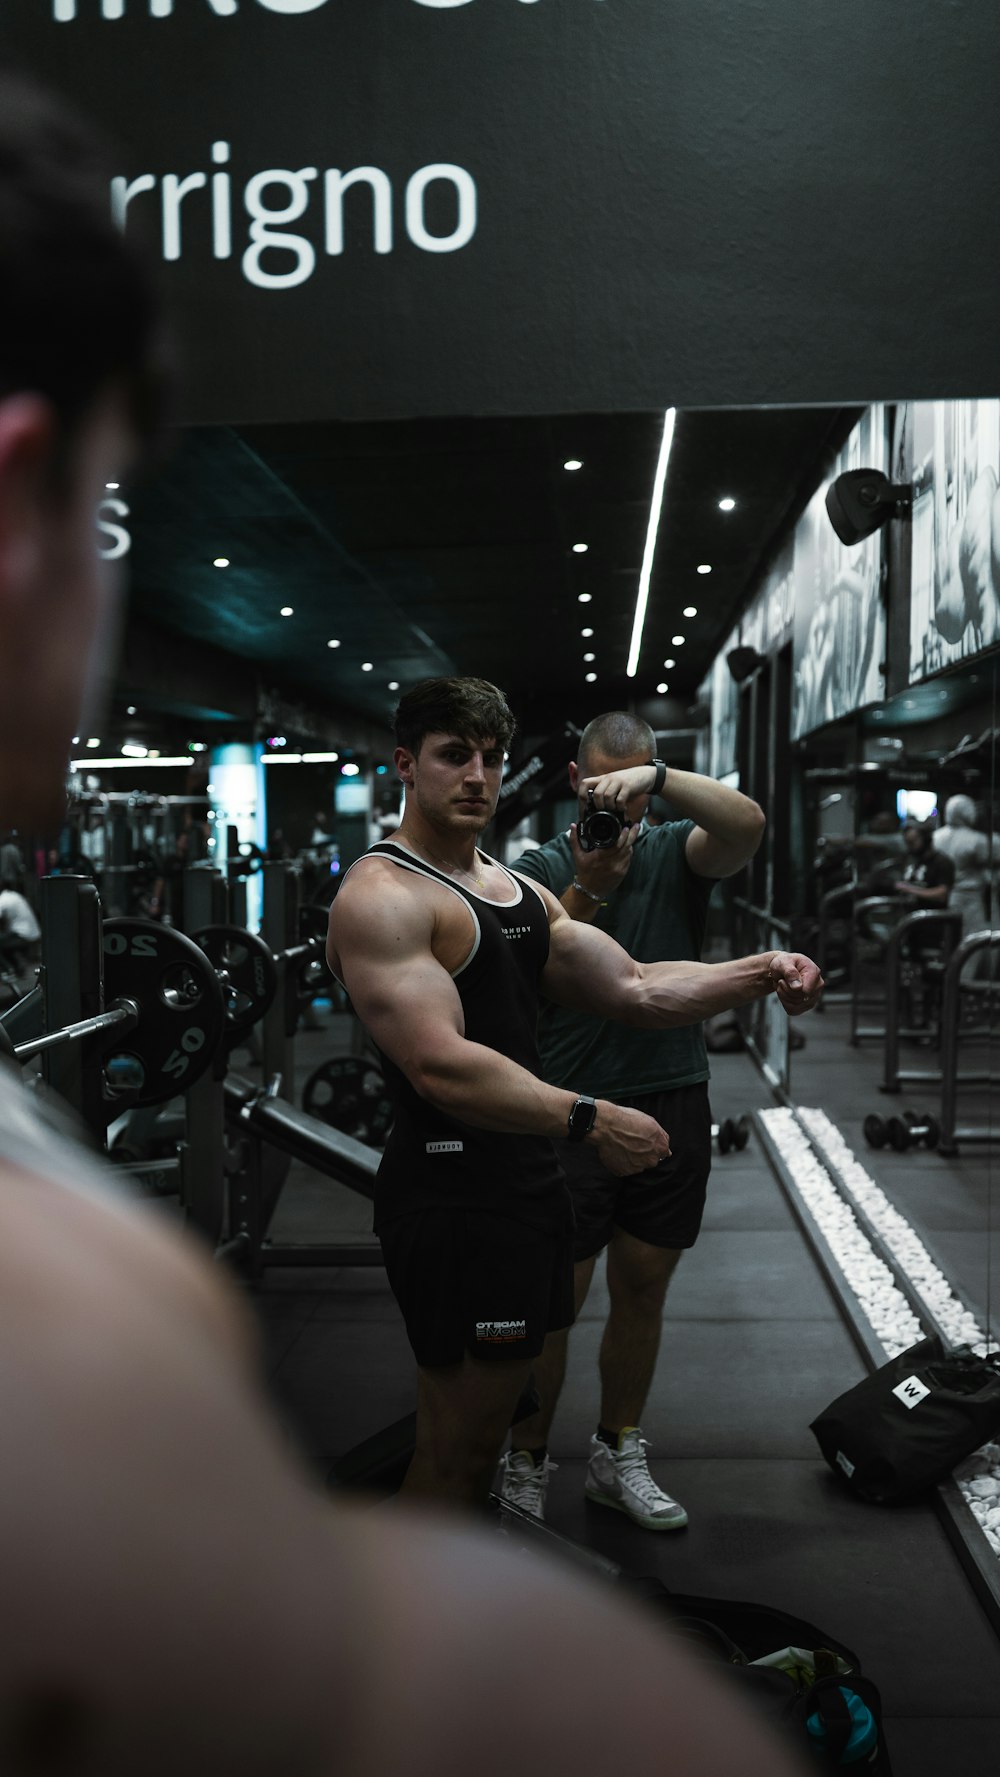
x=665 y=1204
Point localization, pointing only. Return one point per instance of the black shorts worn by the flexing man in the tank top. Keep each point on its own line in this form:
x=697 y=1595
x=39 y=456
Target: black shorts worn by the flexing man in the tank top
x=479 y=1284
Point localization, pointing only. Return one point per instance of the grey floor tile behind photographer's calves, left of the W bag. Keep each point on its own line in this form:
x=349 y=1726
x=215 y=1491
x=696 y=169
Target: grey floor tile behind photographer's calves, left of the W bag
x=724 y=1389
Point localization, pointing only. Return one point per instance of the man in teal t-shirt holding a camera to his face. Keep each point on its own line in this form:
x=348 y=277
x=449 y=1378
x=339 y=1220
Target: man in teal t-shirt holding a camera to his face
x=651 y=893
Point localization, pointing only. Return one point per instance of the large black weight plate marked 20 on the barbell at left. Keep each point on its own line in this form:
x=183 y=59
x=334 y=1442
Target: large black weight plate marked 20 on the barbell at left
x=180 y=1012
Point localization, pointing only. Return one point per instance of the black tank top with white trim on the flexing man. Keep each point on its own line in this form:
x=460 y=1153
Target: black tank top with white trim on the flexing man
x=436 y=1161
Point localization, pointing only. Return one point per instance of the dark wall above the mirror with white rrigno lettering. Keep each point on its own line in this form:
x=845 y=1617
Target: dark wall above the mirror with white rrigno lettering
x=655 y=202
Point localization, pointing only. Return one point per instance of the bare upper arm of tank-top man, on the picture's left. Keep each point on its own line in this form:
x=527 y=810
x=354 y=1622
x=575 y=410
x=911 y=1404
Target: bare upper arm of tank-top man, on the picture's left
x=381 y=946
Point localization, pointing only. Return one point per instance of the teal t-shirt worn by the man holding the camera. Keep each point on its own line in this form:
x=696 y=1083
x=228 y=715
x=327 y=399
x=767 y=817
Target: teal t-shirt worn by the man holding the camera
x=658 y=916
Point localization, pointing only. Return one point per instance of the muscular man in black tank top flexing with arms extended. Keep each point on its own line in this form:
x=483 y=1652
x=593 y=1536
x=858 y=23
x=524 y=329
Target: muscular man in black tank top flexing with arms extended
x=445 y=957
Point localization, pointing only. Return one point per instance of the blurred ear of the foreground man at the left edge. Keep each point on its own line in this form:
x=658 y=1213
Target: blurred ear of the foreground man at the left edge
x=28 y=443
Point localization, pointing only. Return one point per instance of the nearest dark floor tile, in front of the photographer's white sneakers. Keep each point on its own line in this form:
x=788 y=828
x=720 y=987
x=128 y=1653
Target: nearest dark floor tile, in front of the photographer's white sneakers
x=786 y=1534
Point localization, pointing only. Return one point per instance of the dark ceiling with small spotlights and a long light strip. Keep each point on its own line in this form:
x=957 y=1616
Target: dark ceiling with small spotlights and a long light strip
x=448 y=546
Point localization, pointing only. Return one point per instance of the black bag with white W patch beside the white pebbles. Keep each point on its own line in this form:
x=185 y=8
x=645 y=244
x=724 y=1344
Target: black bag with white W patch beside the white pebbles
x=905 y=1428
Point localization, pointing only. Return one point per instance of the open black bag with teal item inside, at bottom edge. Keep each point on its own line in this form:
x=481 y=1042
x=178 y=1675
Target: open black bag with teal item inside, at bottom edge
x=820 y=1682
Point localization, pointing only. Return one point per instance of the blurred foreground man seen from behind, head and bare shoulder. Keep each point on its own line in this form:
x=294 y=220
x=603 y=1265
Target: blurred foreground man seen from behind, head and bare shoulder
x=180 y=1598
